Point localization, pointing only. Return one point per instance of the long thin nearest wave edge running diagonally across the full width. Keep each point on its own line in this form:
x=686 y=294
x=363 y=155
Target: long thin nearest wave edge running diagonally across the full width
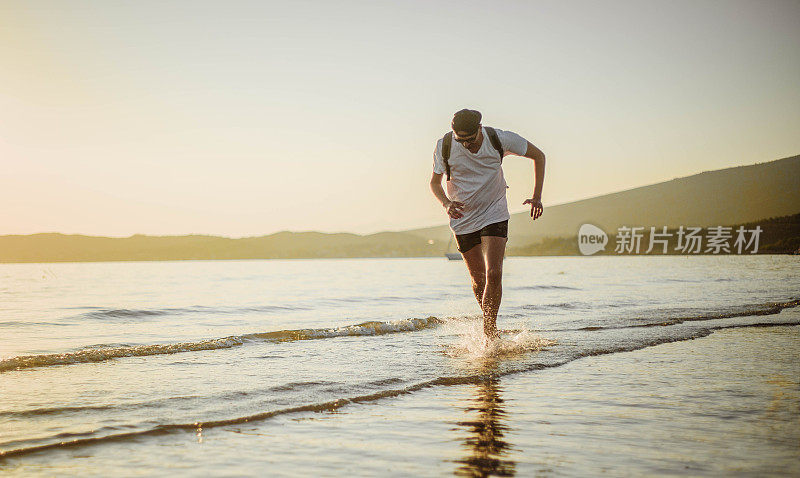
x=92 y=438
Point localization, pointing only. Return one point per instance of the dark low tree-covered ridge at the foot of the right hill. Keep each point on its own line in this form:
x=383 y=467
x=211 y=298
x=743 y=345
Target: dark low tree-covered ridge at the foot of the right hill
x=779 y=235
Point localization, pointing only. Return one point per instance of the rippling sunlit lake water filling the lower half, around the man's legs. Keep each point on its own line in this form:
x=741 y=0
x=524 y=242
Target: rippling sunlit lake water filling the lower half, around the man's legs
x=643 y=365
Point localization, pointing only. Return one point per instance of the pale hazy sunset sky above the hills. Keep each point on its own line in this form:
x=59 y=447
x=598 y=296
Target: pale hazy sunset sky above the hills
x=246 y=118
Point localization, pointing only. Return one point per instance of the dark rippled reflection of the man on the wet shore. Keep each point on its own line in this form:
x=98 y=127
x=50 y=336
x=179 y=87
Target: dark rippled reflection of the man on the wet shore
x=486 y=451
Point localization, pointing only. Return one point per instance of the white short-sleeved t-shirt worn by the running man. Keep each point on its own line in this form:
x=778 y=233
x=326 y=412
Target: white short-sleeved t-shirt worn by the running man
x=477 y=181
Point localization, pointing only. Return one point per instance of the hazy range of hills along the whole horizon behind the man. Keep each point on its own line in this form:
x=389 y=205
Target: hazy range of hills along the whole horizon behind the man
x=745 y=194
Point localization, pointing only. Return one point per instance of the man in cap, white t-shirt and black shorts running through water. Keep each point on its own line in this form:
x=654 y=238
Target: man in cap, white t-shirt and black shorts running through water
x=476 y=201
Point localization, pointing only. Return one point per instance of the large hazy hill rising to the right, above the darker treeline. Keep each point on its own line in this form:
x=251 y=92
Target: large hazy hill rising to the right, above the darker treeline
x=722 y=197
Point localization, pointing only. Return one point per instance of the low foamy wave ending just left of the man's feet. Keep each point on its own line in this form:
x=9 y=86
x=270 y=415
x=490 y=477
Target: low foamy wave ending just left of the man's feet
x=100 y=354
